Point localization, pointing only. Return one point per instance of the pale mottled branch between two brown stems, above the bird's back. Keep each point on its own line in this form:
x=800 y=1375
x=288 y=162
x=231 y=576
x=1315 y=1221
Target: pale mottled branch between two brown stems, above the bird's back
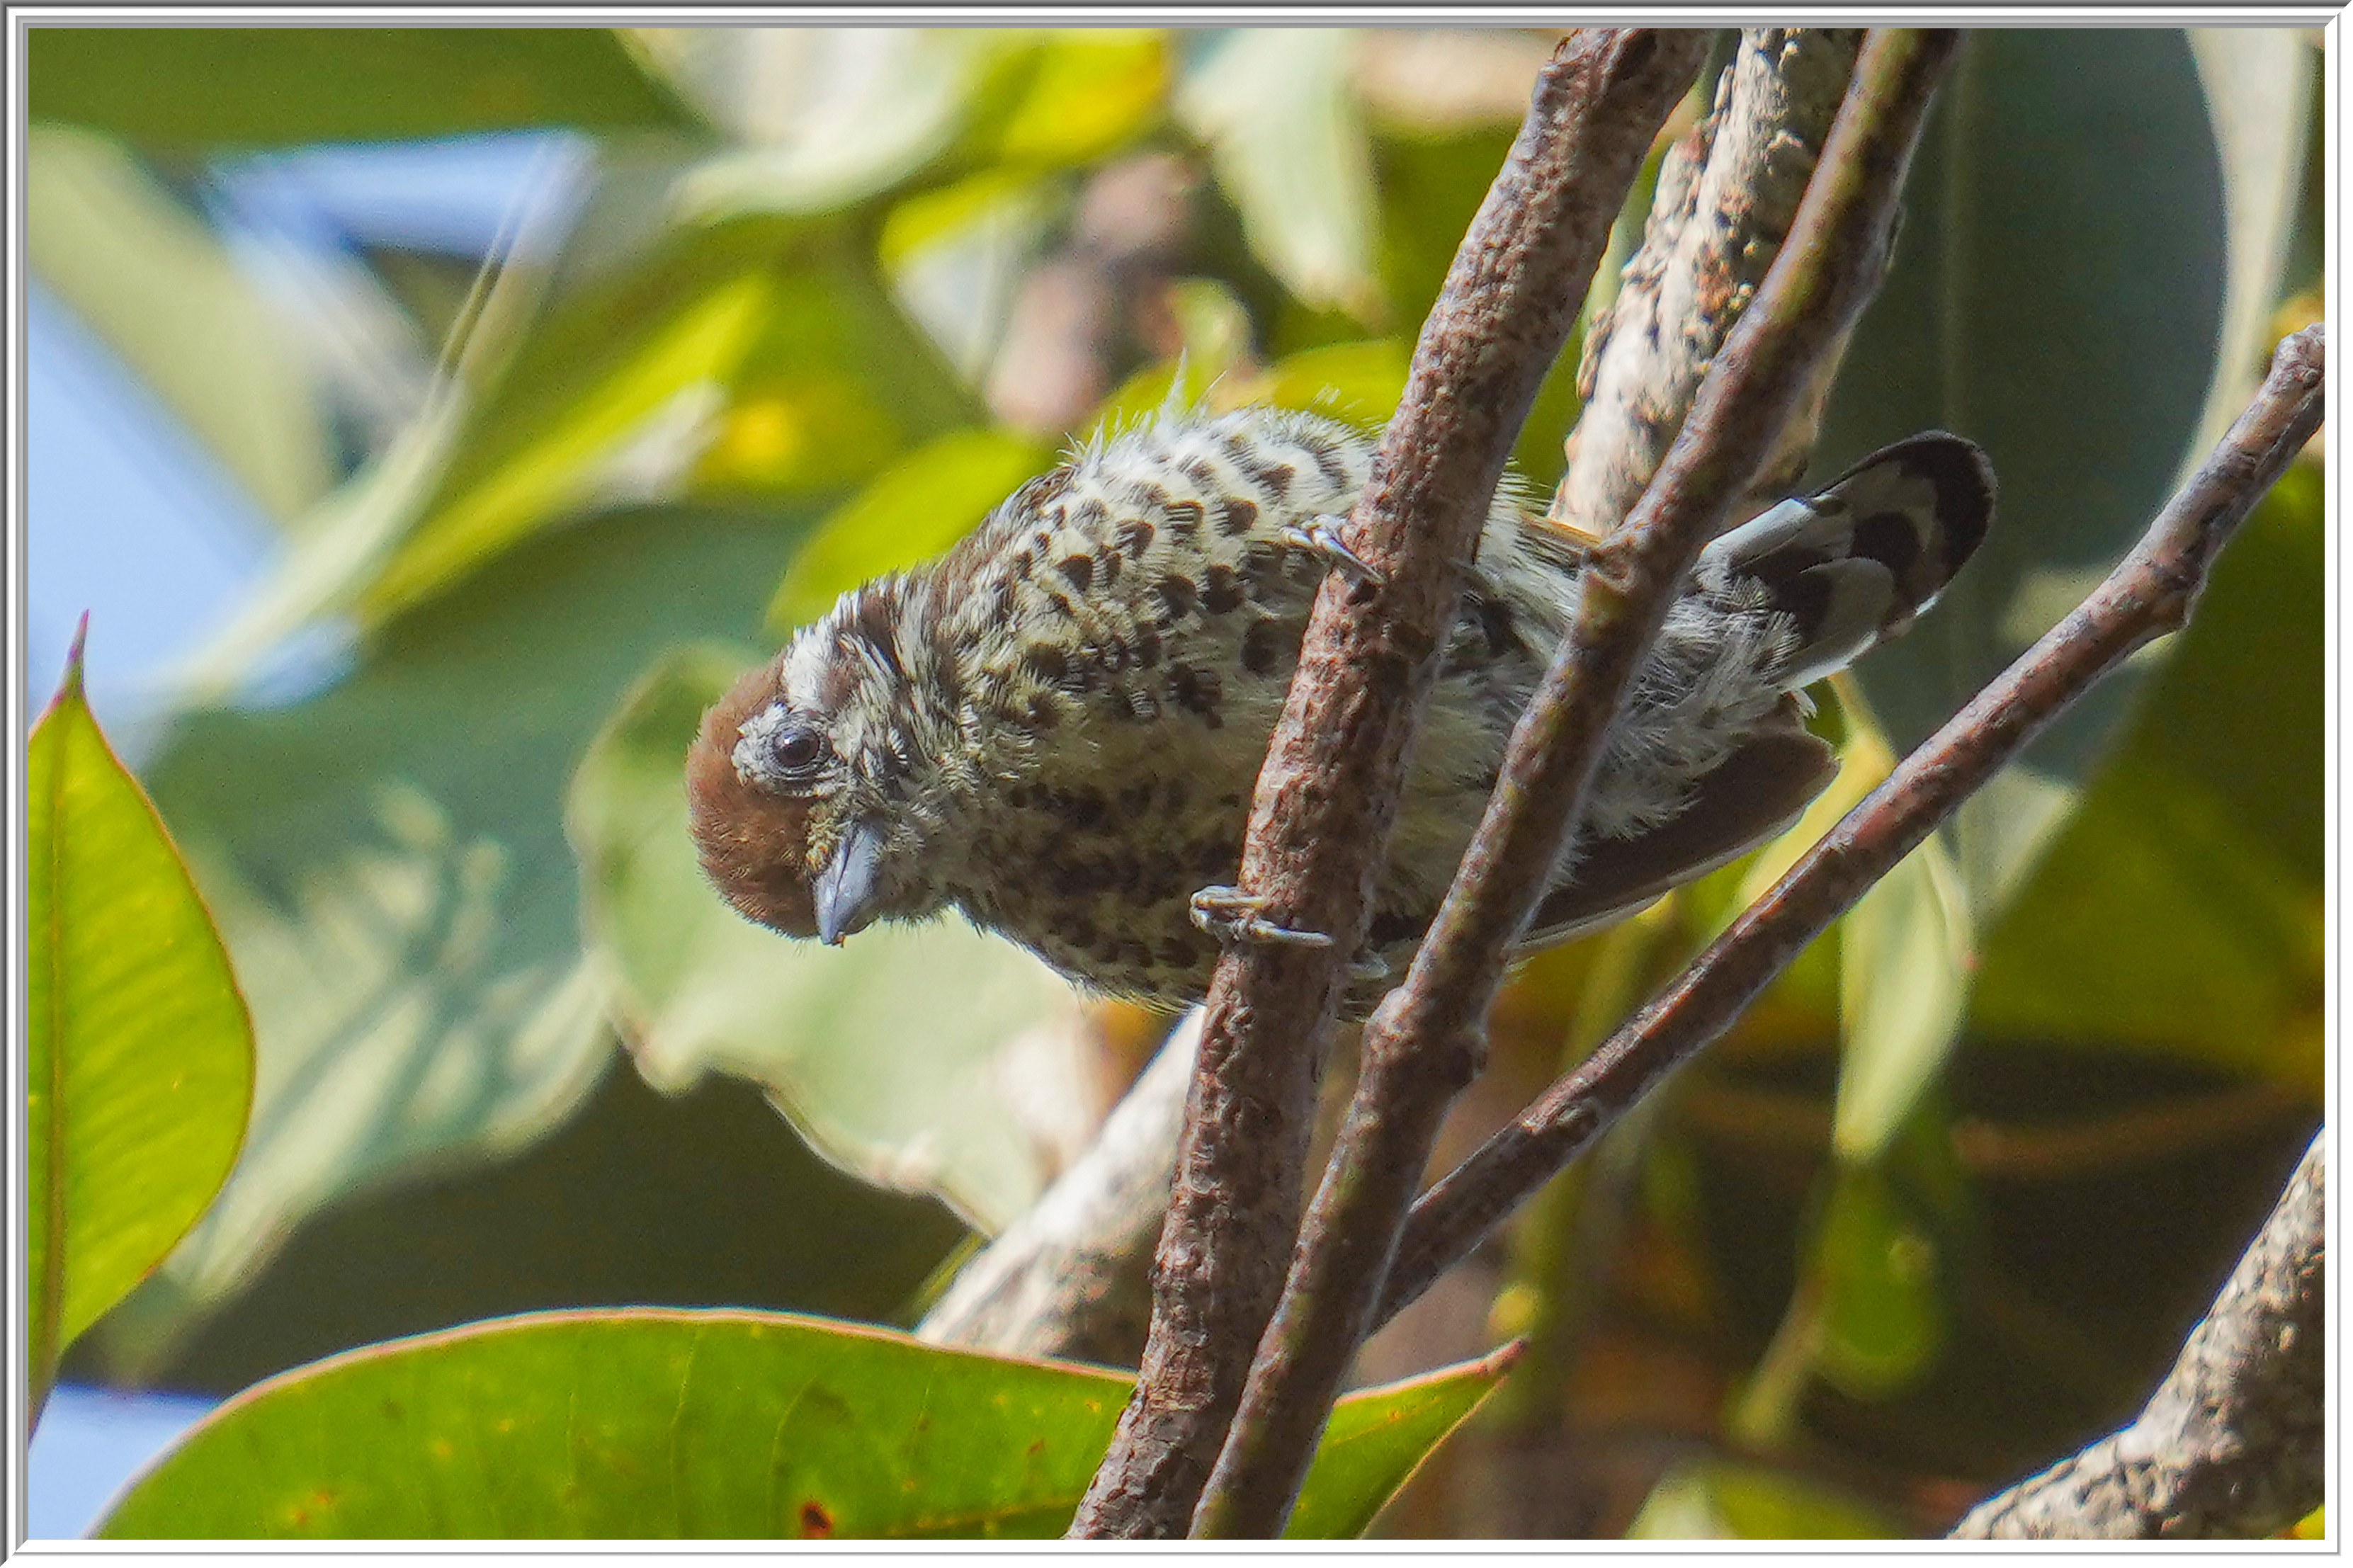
x=1728 y=199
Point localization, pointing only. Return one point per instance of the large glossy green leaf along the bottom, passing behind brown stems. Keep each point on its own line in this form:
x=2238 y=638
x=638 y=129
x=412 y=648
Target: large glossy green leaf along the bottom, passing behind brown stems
x=660 y=1426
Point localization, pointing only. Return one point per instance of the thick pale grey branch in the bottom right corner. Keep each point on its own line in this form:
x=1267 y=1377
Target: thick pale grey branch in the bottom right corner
x=2234 y=1442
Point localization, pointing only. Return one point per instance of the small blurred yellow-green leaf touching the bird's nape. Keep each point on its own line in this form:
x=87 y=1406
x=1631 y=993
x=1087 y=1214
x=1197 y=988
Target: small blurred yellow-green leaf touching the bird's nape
x=912 y=512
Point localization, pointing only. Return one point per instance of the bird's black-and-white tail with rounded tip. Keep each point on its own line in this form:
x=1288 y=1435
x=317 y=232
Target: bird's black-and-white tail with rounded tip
x=1862 y=557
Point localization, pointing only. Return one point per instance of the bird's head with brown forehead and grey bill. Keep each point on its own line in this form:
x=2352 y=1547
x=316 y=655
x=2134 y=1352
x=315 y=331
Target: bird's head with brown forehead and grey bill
x=799 y=778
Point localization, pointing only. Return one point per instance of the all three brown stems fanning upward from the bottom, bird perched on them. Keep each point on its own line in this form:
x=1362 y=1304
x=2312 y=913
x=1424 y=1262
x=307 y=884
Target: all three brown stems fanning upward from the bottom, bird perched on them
x=1328 y=790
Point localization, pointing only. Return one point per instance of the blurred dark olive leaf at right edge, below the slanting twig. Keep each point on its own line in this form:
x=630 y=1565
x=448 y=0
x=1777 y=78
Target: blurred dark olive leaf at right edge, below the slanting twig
x=2182 y=908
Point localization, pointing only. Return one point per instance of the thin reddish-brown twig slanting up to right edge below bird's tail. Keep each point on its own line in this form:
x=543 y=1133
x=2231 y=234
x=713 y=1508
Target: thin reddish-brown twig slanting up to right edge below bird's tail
x=2149 y=594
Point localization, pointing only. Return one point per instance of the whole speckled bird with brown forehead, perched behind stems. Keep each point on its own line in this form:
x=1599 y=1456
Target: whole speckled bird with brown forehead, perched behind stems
x=1058 y=726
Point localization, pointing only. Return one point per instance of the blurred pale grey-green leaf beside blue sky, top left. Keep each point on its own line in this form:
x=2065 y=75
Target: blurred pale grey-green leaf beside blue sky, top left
x=164 y=295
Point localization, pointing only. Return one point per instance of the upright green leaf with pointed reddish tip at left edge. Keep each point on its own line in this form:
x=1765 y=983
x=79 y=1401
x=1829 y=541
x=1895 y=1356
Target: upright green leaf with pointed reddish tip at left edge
x=140 y=1058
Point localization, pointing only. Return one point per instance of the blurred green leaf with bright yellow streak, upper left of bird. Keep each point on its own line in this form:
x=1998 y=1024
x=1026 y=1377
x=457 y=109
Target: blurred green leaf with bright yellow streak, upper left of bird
x=754 y=359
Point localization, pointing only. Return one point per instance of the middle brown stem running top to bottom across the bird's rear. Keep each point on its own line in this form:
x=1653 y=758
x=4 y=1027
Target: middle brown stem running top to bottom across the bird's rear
x=1427 y=1039
